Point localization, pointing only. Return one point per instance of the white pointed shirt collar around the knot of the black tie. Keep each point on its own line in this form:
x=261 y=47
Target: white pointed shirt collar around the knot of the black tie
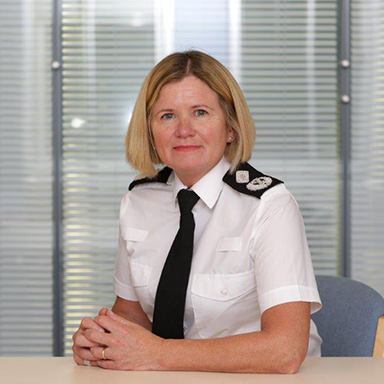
x=208 y=188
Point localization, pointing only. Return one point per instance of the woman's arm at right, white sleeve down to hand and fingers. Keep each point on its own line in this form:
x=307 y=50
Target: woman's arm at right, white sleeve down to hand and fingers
x=280 y=346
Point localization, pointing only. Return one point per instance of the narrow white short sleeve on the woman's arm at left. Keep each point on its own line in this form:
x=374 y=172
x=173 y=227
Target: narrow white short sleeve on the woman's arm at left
x=122 y=276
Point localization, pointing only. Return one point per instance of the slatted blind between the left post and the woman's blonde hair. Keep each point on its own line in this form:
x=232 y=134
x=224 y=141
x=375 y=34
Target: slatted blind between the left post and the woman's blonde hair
x=107 y=51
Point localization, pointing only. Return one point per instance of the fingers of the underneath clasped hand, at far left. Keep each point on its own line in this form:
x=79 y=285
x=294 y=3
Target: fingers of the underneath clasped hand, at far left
x=81 y=345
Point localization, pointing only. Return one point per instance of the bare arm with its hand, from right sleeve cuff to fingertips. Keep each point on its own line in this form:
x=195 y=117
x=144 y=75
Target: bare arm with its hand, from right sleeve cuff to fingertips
x=280 y=347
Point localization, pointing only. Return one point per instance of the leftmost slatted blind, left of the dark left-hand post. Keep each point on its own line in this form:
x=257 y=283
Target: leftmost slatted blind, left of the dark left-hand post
x=26 y=227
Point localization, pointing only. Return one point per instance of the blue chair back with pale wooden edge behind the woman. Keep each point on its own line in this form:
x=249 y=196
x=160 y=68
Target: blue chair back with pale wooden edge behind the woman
x=351 y=322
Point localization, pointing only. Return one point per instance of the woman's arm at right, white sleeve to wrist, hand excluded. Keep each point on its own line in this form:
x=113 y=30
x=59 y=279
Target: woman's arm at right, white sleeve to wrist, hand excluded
x=282 y=261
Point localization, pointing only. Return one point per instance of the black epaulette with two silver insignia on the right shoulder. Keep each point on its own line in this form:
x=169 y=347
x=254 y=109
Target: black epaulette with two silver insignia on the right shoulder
x=250 y=181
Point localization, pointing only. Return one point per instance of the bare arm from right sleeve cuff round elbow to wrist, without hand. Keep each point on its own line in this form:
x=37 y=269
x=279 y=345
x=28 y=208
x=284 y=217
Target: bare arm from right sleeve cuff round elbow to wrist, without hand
x=280 y=347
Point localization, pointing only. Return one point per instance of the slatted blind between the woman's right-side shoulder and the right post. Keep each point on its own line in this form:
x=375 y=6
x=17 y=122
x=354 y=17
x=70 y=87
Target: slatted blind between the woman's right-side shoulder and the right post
x=289 y=77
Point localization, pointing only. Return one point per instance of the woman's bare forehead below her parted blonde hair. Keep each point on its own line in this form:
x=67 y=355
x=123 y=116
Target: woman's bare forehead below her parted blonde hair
x=189 y=88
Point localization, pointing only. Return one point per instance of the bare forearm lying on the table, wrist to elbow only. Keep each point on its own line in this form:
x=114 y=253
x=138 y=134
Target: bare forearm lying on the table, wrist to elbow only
x=257 y=352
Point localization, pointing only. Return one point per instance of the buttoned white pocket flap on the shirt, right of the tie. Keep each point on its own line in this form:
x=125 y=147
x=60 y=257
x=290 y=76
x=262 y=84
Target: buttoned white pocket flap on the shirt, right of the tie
x=223 y=287
